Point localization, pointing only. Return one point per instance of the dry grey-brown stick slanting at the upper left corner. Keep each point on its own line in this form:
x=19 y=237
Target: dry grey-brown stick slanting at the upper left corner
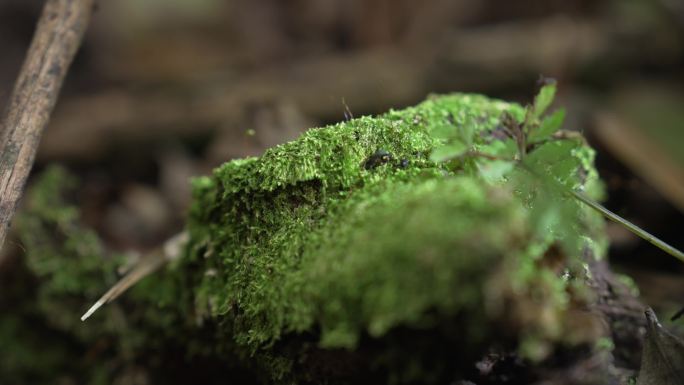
x=58 y=35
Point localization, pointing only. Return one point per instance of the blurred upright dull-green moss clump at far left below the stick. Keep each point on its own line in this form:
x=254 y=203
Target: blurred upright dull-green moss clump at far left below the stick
x=67 y=258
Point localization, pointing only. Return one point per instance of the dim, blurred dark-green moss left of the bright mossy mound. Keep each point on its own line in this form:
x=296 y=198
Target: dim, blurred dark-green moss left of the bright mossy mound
x=64 y=269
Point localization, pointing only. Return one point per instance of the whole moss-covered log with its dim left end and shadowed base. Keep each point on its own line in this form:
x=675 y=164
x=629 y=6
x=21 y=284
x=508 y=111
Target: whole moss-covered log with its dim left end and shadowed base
x=348 y=255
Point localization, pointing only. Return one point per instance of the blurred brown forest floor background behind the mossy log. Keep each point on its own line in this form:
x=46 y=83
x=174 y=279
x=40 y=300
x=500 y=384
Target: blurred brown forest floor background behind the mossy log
x=163 y=90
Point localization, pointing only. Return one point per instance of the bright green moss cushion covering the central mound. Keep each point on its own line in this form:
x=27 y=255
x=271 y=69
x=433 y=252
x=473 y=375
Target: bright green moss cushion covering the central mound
x=309 y=237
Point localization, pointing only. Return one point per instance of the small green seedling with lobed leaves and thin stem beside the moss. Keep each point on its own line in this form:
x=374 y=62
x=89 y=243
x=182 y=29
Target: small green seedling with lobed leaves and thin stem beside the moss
x=544 y=164
